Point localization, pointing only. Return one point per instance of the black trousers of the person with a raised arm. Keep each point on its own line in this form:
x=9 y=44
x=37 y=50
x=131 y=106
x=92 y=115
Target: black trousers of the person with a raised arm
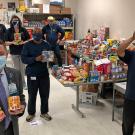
x=128 y=117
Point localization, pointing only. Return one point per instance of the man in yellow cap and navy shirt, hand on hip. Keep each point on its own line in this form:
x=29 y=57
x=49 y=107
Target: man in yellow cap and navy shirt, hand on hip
x=53 y=33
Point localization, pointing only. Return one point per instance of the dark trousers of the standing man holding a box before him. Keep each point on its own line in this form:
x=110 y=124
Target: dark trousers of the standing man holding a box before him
x=43 y=85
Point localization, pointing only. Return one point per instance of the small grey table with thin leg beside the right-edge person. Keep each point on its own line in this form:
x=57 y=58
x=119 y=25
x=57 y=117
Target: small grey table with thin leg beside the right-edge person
x=120 y=87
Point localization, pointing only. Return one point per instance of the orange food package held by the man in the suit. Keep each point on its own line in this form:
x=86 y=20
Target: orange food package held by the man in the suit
x=14 y=103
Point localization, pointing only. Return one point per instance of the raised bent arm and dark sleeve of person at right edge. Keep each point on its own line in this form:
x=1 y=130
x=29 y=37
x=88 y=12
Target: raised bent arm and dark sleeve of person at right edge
x=123 y=51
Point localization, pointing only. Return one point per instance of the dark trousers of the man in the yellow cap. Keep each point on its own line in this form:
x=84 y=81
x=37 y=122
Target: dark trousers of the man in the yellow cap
x=56 y=50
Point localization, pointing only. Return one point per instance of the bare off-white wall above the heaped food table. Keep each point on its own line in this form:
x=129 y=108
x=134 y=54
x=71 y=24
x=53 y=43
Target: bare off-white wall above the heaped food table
x=119 y=15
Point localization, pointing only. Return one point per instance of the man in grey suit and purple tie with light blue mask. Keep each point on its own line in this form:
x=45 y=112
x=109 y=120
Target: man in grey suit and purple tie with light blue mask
x=9 y=119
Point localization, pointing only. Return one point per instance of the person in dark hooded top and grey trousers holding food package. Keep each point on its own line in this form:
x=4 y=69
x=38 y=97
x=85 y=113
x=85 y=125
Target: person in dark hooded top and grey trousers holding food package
x=16 y=37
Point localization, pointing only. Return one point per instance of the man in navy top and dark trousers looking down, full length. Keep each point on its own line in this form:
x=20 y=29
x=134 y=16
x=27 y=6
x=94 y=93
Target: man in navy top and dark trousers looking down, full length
x=37 y=75
